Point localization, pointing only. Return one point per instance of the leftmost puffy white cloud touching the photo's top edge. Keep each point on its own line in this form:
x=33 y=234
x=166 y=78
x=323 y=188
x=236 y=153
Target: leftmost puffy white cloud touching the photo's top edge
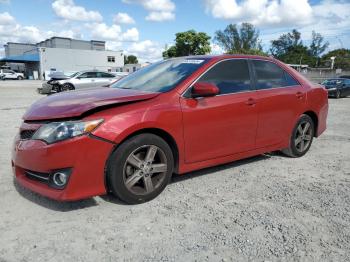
x=68 y=10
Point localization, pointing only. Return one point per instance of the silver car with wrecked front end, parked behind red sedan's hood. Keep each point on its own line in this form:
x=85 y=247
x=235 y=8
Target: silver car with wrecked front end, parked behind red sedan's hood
x=78 y=80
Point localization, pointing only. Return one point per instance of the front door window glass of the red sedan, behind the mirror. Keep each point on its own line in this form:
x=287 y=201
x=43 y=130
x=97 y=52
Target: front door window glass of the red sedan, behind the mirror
x=230 y=76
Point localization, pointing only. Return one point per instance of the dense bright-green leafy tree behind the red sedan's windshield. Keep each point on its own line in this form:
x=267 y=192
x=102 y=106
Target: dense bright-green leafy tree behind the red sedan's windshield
x=189 y=43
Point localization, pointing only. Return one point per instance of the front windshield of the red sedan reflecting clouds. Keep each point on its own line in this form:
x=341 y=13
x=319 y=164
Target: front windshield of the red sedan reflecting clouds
x=161 y=76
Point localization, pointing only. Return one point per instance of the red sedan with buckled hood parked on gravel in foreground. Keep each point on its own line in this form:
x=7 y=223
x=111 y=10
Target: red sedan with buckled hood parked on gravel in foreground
x=174 y=116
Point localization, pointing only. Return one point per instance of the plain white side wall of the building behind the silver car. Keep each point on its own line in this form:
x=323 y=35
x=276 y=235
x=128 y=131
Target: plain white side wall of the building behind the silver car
x=68 y=60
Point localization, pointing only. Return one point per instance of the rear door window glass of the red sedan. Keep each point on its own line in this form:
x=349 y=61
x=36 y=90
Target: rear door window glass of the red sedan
x=270 y=75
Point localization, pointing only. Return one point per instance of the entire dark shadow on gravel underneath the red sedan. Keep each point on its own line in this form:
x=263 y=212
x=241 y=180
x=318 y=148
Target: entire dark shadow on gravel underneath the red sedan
x=91 y=202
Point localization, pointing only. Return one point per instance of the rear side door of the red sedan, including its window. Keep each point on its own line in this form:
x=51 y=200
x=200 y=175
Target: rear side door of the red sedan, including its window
x=280 y=100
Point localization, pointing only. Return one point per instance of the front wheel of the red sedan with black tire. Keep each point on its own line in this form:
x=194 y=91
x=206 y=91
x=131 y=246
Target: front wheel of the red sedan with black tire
x=119 y=166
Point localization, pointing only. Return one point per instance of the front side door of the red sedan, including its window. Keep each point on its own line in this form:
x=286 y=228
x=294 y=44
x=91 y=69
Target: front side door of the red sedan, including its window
x=224 y=124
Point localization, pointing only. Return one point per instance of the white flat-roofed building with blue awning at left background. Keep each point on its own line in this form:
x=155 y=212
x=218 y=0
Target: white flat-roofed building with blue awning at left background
x=64 y=55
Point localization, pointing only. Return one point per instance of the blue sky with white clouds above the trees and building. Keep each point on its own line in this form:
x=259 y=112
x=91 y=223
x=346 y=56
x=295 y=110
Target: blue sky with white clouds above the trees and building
x=145 y=27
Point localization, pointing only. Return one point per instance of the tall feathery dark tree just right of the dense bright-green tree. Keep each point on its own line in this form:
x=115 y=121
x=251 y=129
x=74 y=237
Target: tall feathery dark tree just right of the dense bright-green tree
x=243 y=40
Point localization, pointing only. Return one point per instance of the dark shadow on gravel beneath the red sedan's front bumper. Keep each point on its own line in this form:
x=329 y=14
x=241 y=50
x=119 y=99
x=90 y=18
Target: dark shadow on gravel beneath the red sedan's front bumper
x=53 y=204
